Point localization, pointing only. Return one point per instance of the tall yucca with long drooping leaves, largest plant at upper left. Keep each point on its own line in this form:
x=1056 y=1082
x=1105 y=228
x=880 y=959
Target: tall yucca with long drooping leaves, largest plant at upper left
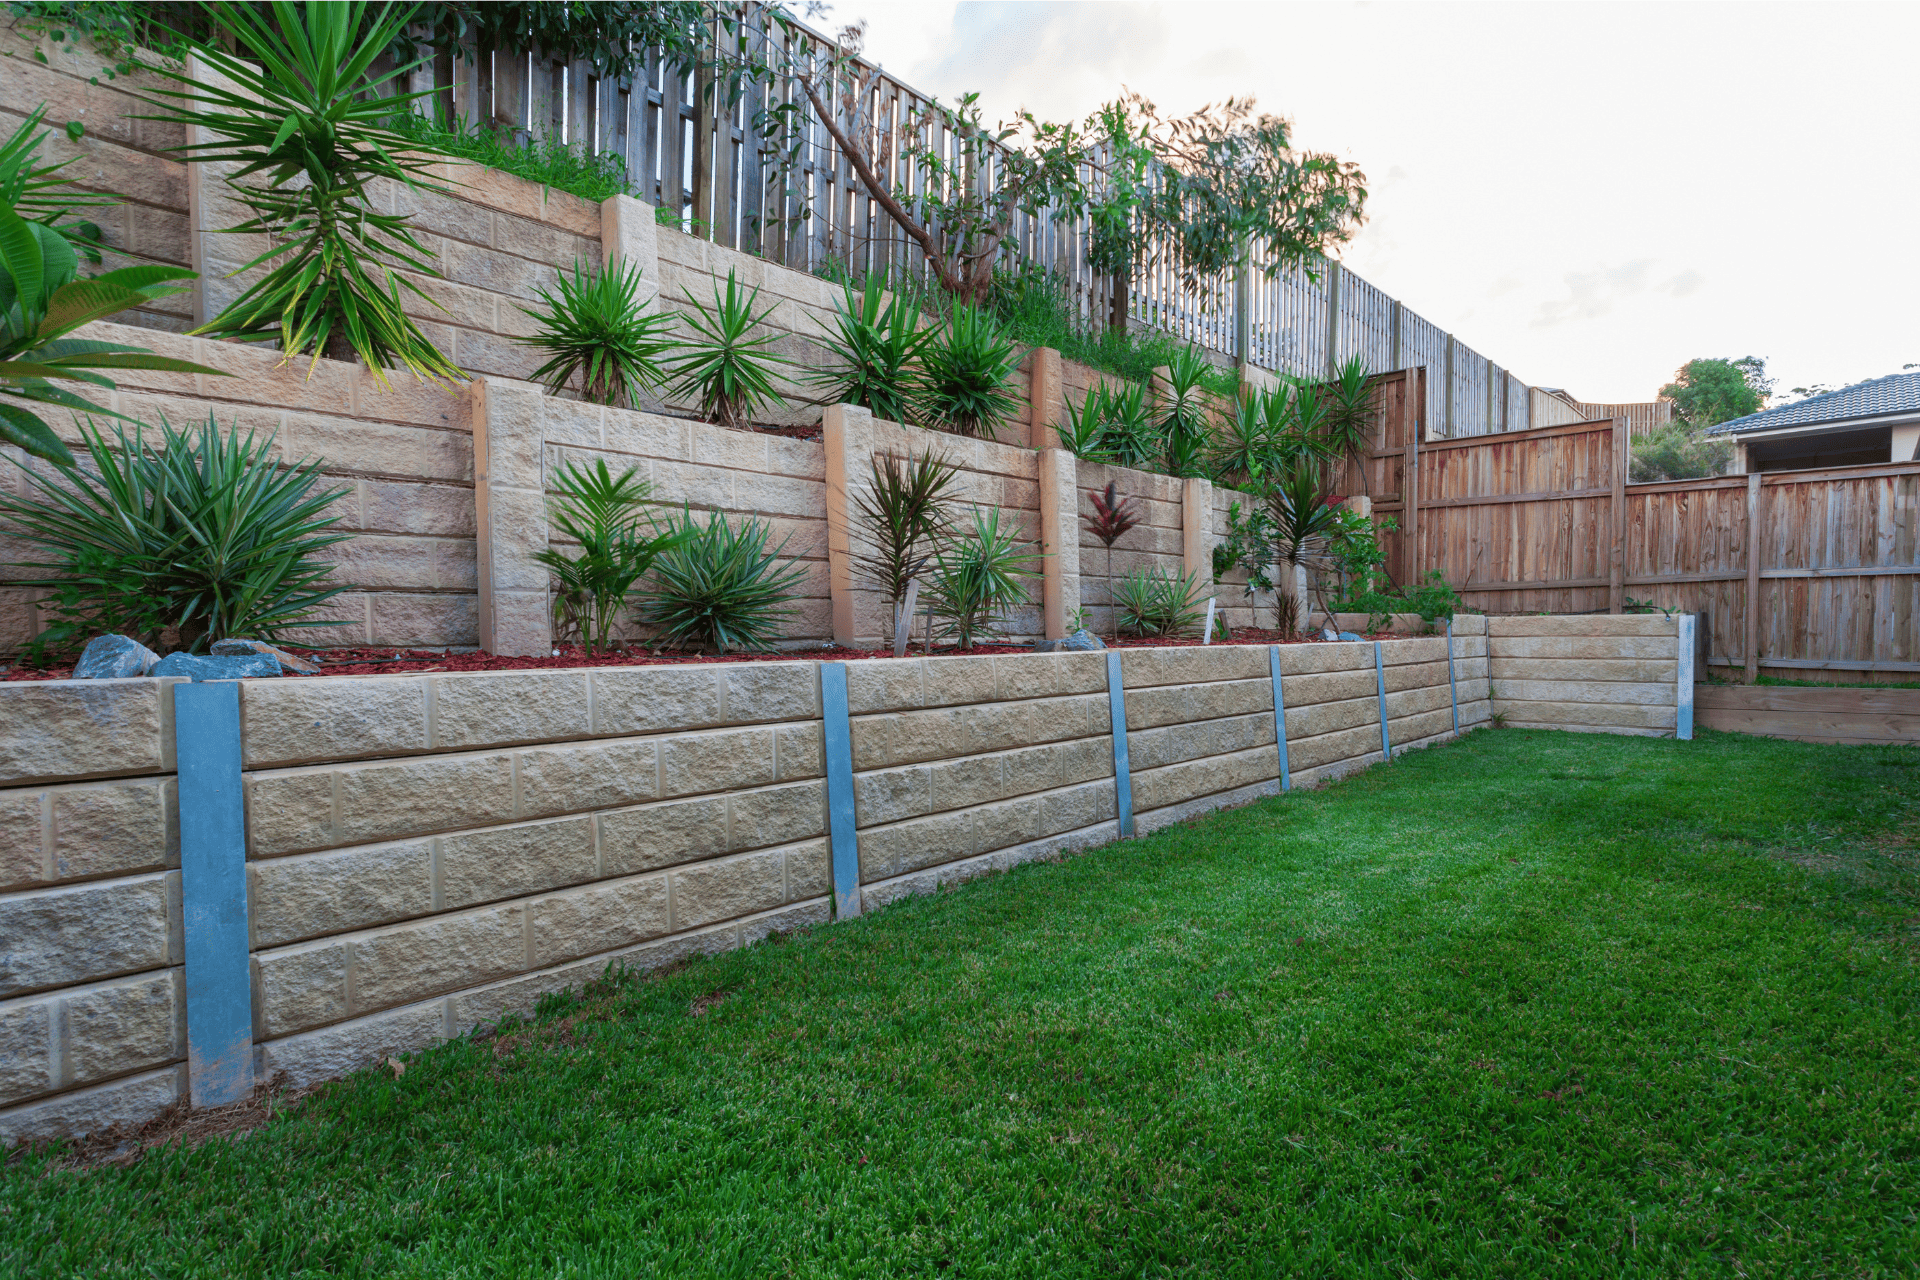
x=302 y=108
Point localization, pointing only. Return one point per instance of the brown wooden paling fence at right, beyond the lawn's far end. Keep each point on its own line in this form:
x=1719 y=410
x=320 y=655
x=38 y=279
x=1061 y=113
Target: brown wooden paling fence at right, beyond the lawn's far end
x=1794 y=573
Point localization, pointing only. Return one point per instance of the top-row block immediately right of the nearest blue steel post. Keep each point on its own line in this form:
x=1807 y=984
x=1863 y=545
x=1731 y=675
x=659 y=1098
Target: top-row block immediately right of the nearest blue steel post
x=339 y=719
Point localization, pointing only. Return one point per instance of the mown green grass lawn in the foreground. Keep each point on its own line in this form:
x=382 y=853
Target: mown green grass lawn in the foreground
x=1533 y=1005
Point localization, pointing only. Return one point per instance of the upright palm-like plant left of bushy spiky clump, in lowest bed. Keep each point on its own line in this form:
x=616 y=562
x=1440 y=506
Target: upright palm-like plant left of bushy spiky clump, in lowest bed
x=617 y=546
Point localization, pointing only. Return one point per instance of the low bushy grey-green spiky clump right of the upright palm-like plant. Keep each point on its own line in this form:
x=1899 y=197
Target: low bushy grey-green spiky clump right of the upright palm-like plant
x=721 y=586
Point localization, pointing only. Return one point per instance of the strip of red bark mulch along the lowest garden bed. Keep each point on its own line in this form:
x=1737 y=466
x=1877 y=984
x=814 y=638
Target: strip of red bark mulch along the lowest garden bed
x=391 y=661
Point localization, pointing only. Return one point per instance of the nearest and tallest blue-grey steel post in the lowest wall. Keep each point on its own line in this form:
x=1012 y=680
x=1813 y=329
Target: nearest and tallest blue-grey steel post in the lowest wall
x=214 y=909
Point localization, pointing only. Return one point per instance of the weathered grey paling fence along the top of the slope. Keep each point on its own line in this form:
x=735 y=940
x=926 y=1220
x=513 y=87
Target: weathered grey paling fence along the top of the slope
x=792 y=199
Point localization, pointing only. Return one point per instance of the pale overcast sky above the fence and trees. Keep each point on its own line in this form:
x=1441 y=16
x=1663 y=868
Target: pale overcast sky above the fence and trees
x=1591 y=195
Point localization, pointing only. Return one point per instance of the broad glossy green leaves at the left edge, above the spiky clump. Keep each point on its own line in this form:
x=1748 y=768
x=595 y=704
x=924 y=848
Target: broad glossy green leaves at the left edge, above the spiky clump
x=41 y=304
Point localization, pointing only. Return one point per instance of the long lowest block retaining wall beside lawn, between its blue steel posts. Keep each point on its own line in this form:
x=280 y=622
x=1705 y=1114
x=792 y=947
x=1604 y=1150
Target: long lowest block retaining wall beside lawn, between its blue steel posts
x=429 y=853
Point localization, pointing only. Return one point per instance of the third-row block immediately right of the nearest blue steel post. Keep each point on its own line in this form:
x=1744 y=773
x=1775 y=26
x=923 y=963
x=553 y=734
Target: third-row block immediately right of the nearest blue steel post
x=316 y=895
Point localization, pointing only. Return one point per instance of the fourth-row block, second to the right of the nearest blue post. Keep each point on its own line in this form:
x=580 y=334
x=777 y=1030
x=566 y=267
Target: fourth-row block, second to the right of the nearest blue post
x=439 y=955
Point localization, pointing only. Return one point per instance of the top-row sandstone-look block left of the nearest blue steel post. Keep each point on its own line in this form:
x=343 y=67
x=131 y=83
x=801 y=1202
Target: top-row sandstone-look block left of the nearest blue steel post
x=84 y=728
